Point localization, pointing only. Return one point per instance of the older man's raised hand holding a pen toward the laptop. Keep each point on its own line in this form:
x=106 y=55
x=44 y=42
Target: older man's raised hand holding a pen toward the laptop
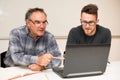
x=44 y=60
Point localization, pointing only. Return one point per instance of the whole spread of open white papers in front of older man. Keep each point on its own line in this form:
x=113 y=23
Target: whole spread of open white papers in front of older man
x=22 y=73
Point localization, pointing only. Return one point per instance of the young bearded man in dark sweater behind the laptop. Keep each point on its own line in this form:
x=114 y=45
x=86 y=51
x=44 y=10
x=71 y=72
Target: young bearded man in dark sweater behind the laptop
x=89 y=31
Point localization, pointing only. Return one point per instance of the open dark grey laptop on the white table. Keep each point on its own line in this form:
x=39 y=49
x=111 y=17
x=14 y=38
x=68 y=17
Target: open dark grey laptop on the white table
x=84 y=60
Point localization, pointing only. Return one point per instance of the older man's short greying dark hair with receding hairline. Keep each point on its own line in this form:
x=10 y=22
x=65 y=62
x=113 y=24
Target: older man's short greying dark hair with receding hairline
x=31 y=10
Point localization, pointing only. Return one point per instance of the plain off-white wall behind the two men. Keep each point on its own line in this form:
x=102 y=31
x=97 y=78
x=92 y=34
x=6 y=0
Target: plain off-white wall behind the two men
x=62 y=16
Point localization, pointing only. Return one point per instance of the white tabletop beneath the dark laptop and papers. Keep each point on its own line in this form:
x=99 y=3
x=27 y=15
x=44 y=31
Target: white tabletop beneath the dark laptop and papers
x=112 y=73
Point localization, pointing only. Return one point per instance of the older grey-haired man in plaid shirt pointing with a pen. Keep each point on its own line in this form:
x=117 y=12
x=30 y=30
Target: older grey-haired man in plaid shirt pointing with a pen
x=31 y=45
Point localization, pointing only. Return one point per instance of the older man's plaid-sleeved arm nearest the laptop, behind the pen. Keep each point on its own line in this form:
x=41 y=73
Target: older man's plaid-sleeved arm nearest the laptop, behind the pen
x=53 y=49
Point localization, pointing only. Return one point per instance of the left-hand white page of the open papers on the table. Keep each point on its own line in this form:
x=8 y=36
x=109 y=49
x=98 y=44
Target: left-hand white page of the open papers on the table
x=11 y=72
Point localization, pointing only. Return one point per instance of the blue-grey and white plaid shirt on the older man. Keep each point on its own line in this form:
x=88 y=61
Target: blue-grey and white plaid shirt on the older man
x=23 y=49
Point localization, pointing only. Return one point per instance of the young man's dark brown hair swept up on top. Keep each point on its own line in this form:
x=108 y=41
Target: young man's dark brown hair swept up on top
x=90 y=9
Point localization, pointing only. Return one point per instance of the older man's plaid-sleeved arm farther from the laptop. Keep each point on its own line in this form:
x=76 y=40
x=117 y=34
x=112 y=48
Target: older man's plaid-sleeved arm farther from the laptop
x=17 y=52
